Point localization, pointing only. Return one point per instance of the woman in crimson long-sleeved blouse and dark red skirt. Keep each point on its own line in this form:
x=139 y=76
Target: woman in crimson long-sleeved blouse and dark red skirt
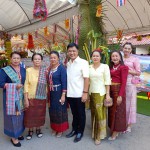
x=117 y=113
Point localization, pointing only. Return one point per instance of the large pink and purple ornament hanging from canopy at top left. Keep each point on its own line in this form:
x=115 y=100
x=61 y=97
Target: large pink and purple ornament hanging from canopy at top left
x=40 y=10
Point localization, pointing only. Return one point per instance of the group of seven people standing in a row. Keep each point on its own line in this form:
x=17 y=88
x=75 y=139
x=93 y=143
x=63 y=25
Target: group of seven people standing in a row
x=26 y=92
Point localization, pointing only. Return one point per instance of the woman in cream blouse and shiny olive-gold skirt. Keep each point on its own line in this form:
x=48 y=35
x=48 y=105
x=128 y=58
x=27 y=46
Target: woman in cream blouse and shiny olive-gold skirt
x=99 y=90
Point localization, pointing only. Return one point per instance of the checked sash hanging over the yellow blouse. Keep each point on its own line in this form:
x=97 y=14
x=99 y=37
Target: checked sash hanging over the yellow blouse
x=42 y=84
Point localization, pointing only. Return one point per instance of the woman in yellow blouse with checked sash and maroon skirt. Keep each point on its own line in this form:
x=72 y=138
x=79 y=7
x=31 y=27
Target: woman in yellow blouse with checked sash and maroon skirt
x=35 y=96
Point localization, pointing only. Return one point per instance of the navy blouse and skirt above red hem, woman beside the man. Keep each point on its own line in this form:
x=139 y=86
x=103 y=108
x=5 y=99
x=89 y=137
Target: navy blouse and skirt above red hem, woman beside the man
x=58 y=113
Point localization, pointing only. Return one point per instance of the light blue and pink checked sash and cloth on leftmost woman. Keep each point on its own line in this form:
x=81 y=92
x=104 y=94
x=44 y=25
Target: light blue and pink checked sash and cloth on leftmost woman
x=14 y=98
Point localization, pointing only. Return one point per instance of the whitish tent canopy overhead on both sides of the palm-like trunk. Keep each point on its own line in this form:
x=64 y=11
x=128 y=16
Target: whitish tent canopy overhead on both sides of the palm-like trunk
x=16 y=16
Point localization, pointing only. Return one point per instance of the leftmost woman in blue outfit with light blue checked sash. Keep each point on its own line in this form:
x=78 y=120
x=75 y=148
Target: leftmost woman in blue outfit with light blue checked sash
x=12 y=79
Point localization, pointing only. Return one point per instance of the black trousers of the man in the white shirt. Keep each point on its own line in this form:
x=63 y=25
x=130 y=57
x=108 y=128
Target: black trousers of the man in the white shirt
x=78 y=112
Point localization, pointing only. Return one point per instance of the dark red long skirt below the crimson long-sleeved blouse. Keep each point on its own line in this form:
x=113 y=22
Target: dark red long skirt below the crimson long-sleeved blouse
x=117 y=114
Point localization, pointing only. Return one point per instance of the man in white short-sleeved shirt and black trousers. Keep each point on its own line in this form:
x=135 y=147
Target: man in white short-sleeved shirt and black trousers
x=77 y=90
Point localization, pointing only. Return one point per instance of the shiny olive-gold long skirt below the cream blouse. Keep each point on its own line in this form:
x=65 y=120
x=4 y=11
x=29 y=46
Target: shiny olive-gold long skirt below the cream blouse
x=98 y=116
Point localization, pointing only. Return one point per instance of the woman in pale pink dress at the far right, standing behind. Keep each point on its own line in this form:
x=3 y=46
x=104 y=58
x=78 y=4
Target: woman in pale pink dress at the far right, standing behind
x=131 y=93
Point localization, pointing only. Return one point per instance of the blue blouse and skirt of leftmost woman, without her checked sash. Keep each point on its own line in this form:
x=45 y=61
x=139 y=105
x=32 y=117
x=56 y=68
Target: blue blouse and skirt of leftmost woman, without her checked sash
x=13 y=125
